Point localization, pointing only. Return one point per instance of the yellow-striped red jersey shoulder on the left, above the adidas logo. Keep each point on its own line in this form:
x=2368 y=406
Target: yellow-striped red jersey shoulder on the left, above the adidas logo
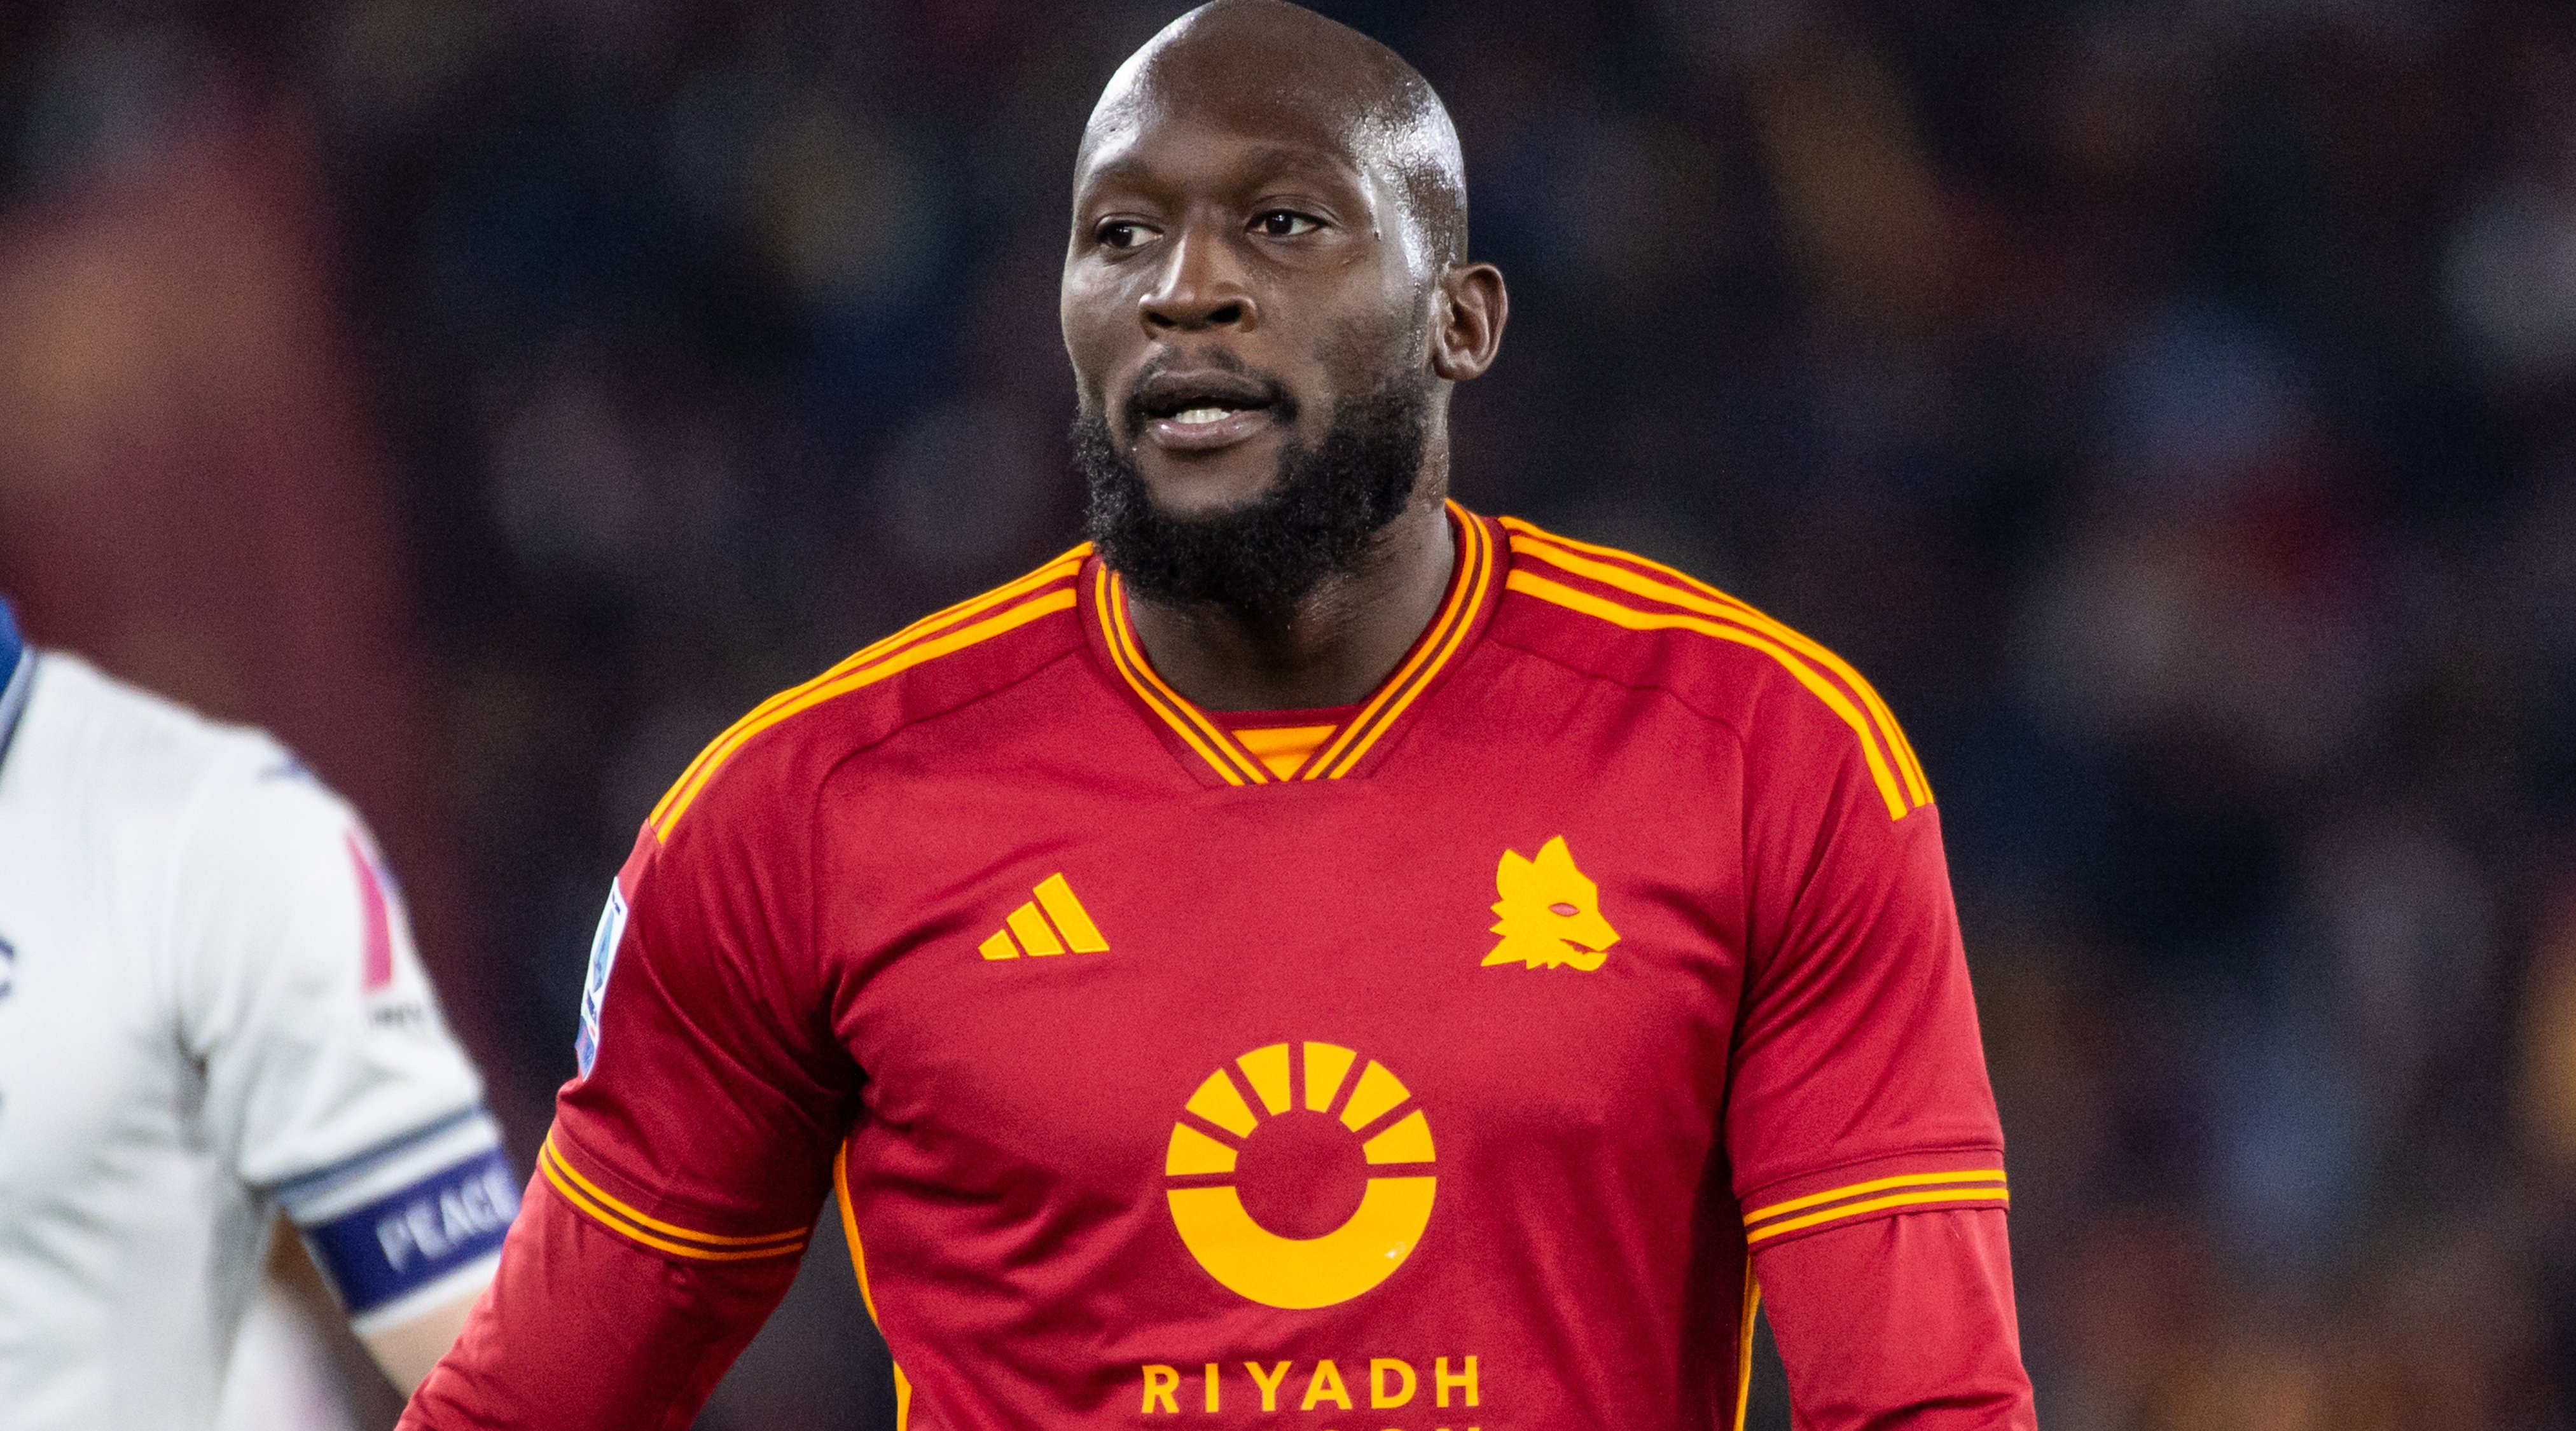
x=787 y=745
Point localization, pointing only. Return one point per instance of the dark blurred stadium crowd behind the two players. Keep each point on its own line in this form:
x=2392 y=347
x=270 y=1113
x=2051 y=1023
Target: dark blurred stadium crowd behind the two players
x=2173 y=408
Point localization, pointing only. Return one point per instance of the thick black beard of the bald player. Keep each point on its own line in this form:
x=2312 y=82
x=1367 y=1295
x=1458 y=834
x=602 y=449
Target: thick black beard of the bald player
x=1261 y=560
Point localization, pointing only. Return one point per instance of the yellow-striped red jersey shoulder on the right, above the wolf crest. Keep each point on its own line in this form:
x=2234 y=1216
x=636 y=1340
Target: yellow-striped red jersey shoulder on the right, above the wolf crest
x=1616 y=616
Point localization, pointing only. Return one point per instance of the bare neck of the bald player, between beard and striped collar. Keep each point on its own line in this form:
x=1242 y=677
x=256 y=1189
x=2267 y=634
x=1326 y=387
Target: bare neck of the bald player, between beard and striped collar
x=1333 y=647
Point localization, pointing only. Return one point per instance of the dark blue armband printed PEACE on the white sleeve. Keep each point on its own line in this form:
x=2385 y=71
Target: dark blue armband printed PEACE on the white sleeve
x=413 y=1237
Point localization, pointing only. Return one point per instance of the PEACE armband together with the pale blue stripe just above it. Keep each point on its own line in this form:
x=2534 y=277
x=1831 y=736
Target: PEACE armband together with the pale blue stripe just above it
x=411 y=1224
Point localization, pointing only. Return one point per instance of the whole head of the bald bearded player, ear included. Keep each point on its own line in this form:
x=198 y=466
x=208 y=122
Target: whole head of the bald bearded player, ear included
x=1266 y=302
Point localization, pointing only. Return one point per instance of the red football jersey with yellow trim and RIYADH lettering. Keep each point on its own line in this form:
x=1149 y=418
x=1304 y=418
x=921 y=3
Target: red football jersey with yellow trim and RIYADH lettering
x=1459 y=1077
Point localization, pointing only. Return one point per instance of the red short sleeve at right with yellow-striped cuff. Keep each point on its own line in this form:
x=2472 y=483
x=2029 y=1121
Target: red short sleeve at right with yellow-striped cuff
x=1859 y=1085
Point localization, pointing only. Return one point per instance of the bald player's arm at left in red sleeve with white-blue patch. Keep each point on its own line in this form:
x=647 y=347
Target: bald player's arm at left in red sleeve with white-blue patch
x=687 y=1159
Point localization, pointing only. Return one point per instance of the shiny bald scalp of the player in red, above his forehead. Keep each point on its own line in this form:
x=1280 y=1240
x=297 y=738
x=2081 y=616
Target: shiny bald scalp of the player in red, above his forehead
x=1274 y=68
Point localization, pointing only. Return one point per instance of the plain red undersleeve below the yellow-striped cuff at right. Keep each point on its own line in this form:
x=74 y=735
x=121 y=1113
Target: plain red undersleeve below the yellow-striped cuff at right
x=1902 y=1324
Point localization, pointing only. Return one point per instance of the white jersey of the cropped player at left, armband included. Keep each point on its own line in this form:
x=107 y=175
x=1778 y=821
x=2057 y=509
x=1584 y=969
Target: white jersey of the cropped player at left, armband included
x=210 y=1010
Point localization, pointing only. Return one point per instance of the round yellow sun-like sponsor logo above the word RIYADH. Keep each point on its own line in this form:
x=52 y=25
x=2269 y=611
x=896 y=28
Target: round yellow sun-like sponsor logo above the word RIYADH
x=1297 y=1183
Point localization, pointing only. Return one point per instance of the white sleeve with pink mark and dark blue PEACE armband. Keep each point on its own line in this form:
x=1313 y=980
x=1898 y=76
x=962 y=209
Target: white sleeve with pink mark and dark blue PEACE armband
x=331 y=1077
